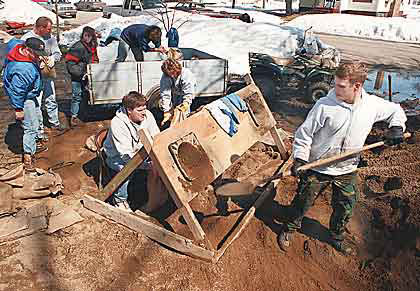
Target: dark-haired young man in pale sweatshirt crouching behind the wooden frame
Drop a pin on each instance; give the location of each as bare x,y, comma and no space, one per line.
122,143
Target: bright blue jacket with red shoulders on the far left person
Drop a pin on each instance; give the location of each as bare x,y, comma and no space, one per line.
21,78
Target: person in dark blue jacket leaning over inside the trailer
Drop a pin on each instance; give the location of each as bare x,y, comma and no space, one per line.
137,38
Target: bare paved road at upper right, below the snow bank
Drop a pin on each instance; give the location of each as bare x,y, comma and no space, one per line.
391,55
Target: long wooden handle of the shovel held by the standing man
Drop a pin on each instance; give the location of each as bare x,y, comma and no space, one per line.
323,162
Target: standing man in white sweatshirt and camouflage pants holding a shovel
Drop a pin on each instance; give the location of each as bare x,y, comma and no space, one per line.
337,123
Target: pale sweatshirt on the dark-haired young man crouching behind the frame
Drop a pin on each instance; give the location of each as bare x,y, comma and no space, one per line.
122,141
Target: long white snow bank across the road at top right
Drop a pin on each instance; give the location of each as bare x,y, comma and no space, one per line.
390,29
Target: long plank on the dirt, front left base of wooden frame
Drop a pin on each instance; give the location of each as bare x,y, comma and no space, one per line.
151,230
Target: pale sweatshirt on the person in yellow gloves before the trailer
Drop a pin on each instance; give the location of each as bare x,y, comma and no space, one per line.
174,92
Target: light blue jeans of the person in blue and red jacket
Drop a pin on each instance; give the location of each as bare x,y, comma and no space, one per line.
30,126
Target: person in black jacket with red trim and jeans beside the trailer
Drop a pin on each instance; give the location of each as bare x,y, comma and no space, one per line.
79,55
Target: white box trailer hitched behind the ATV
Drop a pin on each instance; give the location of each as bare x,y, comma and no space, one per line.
109,82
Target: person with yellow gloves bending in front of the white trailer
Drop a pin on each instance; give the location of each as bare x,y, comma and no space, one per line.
177,89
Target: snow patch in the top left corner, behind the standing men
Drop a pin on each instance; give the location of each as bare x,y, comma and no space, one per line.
24,11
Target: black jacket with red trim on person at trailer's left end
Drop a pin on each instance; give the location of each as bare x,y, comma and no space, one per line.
77,58
